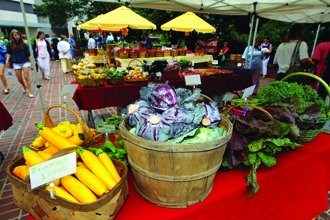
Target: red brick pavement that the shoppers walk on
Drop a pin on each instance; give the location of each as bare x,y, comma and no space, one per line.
26,112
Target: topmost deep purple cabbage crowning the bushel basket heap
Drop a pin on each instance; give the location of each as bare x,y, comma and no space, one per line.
160,96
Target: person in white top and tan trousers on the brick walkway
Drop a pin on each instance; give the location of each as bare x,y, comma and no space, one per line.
64,54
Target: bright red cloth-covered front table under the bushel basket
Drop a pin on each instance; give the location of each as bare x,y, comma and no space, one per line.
296,188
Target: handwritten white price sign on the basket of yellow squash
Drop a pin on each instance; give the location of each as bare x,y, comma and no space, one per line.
53,169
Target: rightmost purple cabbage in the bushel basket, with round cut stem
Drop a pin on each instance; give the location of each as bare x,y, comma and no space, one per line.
207,115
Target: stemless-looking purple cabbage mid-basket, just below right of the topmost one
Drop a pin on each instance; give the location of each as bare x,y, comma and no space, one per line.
181,120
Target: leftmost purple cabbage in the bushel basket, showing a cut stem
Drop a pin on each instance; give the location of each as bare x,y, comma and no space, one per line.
135,109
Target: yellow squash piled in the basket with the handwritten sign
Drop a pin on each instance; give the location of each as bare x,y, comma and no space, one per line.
96,174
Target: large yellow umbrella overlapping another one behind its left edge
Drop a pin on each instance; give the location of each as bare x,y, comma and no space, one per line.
122,17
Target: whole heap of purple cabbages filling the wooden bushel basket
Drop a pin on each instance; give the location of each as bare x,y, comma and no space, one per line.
167,114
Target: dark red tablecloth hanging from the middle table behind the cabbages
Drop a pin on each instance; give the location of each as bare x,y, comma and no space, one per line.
123,95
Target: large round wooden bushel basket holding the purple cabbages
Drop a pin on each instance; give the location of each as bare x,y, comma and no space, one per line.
174,175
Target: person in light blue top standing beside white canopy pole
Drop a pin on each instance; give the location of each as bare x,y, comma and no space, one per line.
256,65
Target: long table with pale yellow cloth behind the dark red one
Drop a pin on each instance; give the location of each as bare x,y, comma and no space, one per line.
134,62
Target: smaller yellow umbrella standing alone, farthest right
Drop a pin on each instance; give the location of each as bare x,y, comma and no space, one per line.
187,23
